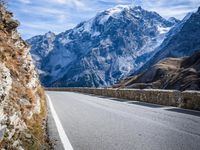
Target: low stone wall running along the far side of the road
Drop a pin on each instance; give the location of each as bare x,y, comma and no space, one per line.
186,99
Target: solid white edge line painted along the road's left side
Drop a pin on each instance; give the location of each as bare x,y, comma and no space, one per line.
64,139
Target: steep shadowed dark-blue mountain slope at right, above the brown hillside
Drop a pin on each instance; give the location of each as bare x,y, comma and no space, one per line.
182,40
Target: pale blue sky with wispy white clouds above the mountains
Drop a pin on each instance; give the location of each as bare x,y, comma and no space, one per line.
40,16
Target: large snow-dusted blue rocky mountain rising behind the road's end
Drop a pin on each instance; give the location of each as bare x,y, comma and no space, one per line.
102,50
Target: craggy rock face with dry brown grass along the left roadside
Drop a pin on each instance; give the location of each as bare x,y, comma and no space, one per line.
20,90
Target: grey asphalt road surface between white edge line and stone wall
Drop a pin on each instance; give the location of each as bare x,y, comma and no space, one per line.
101,123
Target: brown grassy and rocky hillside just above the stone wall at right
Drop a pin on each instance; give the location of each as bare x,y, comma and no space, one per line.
171,73
